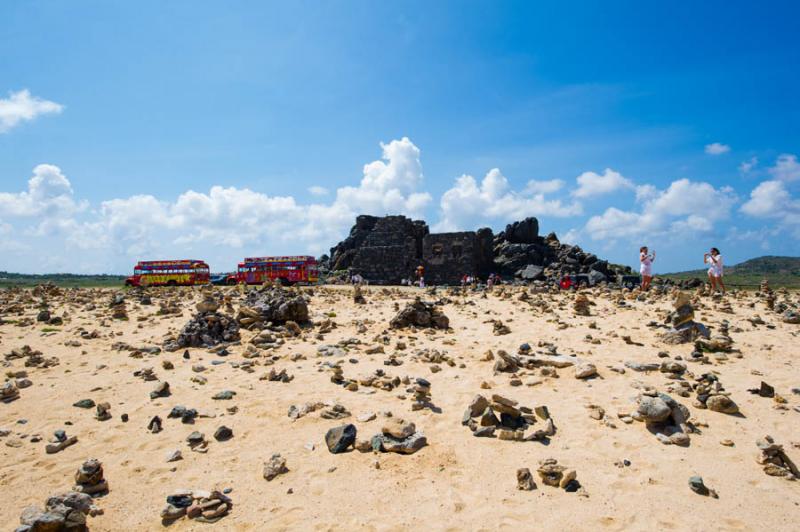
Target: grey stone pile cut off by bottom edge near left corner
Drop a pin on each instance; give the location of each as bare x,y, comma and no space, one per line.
63,512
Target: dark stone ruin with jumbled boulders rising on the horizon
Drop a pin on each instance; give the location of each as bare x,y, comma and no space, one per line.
386,250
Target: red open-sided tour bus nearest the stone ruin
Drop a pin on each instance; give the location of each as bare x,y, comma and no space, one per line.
285,270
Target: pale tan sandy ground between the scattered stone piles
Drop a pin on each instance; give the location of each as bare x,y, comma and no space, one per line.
458,481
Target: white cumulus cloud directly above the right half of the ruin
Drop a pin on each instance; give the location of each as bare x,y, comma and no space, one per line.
468,203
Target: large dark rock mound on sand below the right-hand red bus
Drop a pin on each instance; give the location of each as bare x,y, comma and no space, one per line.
271,305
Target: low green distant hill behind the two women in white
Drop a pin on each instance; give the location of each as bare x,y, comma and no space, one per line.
780,271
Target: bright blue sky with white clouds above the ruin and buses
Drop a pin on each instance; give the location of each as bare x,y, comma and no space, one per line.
176,129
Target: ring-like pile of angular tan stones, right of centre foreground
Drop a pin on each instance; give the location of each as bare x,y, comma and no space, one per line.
515,423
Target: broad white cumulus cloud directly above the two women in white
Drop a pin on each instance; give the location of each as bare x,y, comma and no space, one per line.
683,206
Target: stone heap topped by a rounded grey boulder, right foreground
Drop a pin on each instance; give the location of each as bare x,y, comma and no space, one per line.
663,416
